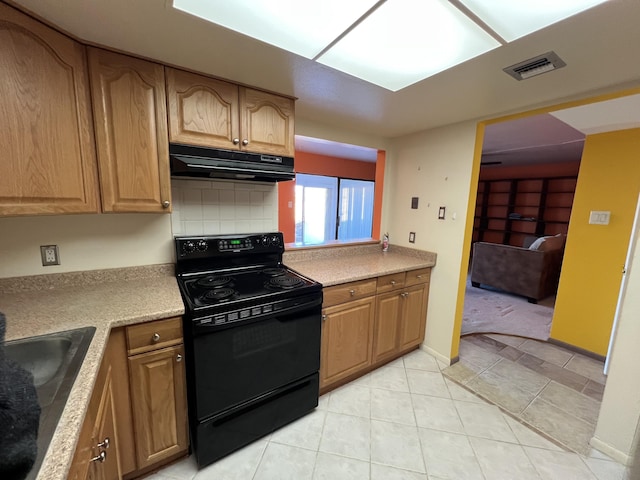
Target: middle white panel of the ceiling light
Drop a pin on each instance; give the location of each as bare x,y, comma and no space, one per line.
405,41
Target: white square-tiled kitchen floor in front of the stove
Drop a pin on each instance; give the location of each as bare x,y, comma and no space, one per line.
404,421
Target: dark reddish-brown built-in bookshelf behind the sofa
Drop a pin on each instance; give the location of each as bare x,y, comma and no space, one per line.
509,210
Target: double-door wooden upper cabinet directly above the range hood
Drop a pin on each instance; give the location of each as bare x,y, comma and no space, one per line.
213,113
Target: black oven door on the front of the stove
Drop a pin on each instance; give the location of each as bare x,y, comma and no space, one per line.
238,363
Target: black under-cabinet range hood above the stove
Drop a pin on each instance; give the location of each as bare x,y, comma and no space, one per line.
204,162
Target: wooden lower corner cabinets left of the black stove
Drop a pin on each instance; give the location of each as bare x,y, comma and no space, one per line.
138,403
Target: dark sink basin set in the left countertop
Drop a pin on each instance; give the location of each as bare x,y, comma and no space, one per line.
54,361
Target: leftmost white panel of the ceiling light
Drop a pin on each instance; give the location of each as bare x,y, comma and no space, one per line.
301,27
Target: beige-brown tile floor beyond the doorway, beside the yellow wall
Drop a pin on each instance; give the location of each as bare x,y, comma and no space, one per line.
555,390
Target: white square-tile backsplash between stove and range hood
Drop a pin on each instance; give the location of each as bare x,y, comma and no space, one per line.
213,207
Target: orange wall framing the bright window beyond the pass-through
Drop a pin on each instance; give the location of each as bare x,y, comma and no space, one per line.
315,164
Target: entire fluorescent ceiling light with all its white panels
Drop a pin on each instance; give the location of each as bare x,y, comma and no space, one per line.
390,43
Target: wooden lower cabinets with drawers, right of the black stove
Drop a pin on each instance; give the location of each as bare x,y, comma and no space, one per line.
361,334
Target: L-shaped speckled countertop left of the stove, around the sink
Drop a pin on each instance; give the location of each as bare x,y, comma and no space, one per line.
103,299
